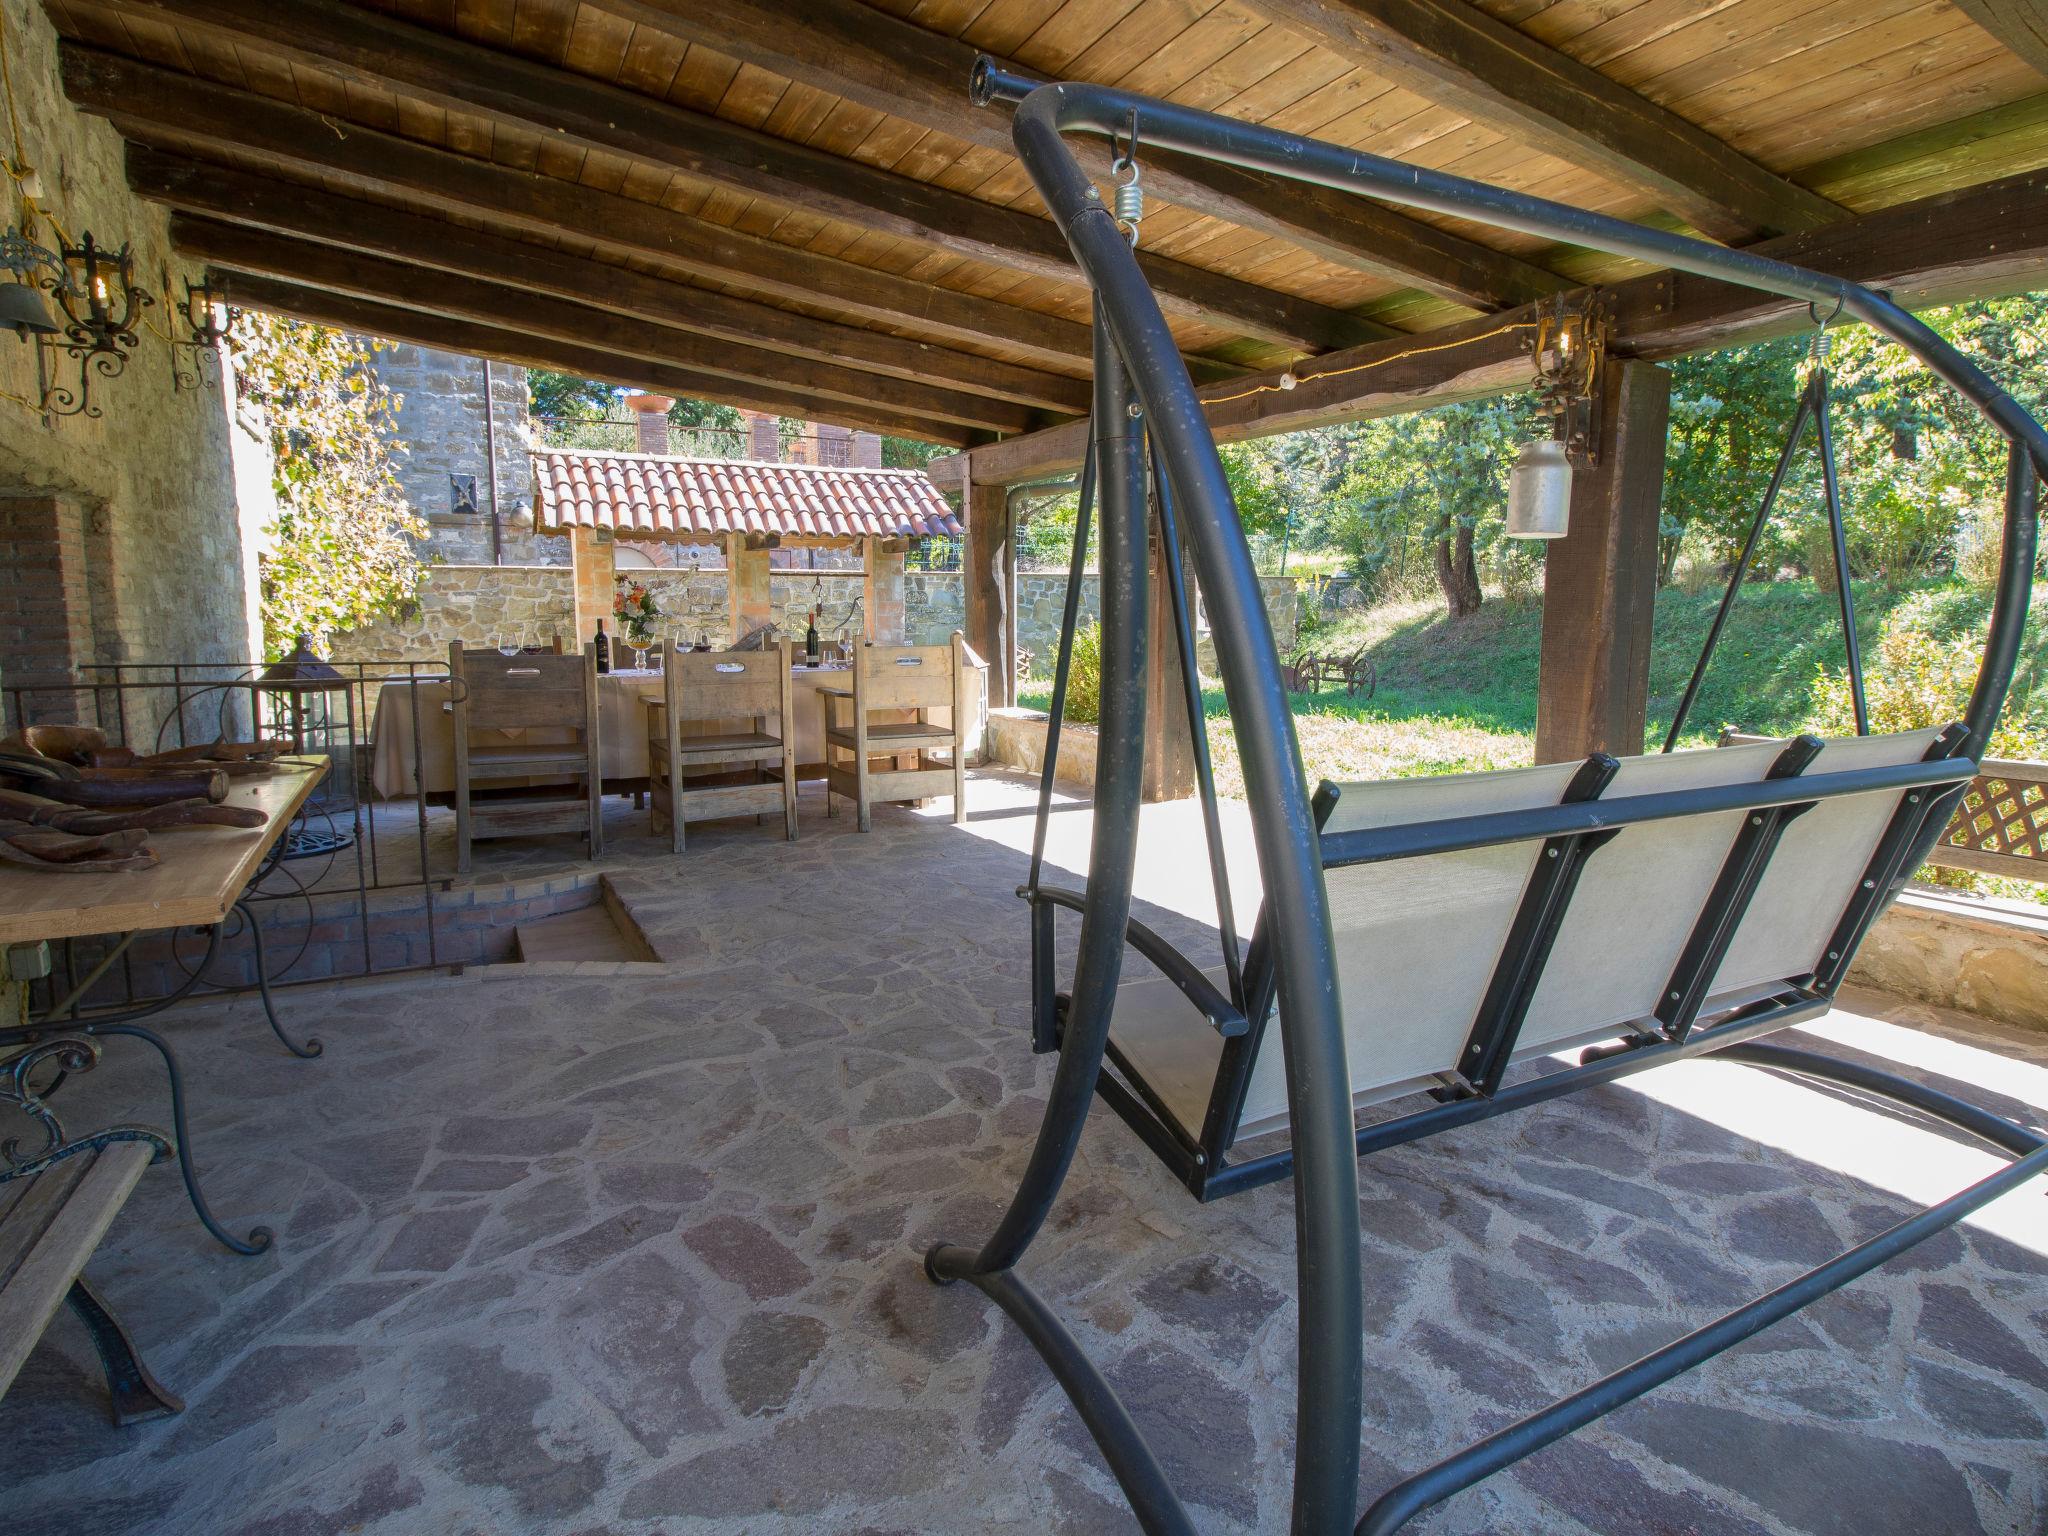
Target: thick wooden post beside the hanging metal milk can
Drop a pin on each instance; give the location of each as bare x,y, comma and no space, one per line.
1601,579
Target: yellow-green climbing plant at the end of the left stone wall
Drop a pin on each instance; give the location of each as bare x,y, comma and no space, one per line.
343,550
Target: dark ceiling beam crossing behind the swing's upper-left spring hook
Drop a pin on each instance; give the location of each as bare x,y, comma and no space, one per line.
896,67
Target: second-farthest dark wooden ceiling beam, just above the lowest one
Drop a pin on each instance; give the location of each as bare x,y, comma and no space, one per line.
558,321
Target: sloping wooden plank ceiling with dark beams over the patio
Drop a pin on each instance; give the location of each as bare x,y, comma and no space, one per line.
790,204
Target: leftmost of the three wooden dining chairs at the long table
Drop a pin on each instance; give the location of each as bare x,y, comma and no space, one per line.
552,706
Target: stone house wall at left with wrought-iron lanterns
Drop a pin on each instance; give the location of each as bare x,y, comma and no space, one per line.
140,503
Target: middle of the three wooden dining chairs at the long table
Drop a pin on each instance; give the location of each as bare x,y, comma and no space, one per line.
744,763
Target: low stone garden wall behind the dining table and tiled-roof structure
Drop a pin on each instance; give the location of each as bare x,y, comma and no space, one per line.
486,605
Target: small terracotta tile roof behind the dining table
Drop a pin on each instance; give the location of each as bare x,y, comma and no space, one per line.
652,495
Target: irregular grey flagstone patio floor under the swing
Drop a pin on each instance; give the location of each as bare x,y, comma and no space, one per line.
636,1250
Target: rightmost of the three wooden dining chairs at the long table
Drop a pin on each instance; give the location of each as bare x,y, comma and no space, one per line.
865,755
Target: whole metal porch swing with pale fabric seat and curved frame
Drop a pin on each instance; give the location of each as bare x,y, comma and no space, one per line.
1768,863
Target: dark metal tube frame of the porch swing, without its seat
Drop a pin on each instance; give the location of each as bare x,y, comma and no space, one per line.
1140,374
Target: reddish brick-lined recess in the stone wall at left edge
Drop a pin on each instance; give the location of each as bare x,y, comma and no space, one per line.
46,613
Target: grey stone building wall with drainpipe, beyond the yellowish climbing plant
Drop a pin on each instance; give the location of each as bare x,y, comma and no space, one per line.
443,427
